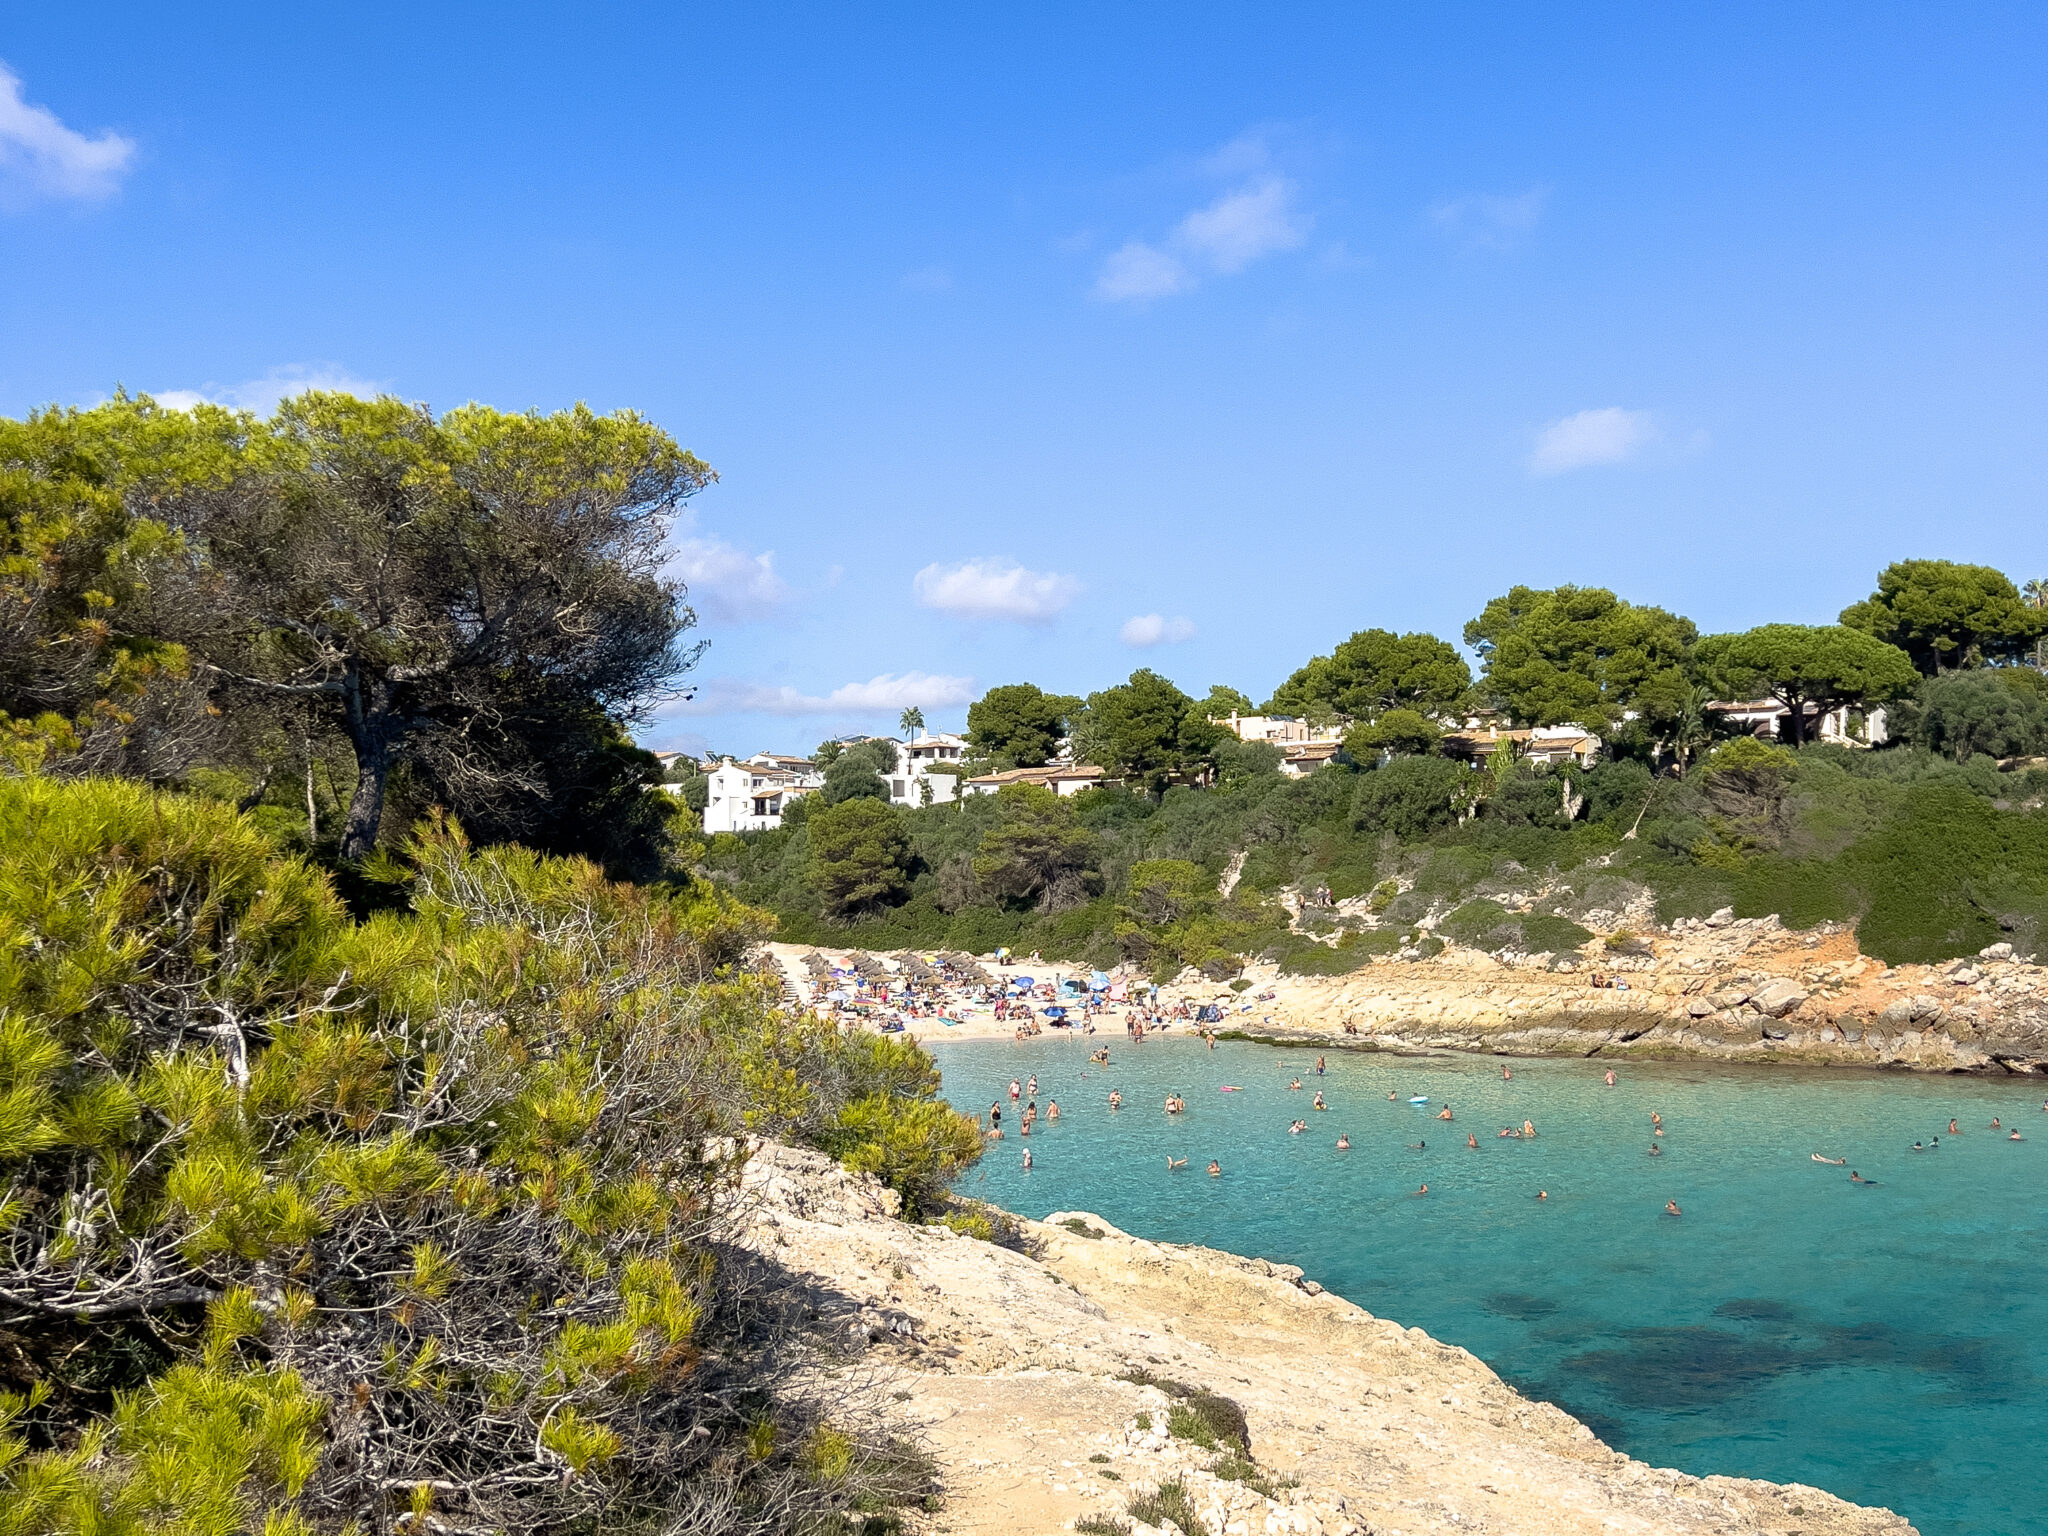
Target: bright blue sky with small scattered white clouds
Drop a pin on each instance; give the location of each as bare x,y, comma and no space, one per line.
1101,337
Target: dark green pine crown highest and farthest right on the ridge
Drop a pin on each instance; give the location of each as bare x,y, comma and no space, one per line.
1949,615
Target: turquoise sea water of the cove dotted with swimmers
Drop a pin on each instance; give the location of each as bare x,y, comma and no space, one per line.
1885,1342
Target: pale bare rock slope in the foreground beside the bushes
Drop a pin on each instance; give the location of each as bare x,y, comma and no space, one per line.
1084,1377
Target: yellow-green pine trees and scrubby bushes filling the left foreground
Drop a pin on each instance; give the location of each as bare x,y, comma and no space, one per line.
376,1074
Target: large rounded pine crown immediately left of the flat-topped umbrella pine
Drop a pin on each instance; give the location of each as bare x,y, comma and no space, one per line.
1582,656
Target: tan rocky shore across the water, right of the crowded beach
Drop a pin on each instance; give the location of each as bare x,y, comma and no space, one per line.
1711,990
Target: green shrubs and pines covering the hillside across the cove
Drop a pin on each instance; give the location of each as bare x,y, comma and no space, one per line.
1934,843
